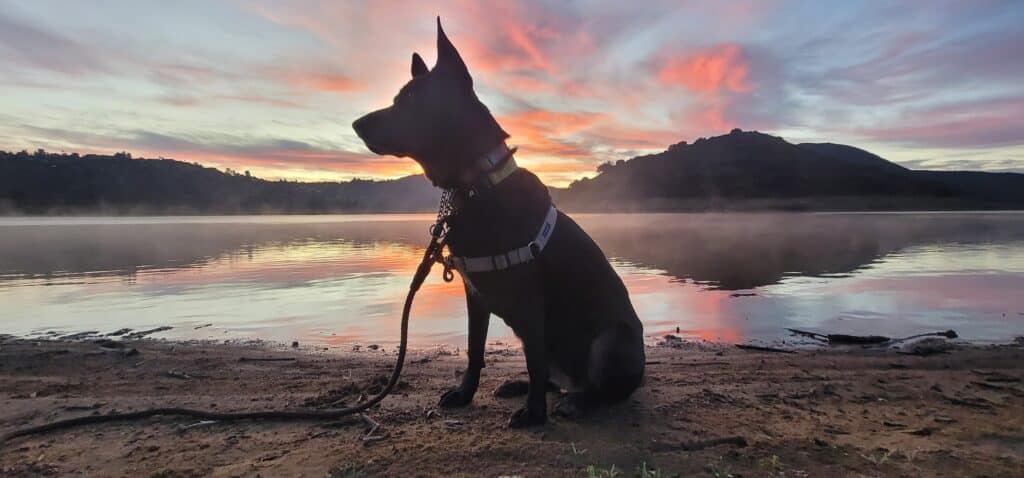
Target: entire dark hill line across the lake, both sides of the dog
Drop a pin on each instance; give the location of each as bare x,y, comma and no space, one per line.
743,170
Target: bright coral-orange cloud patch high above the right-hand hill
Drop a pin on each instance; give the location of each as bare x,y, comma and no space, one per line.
721,68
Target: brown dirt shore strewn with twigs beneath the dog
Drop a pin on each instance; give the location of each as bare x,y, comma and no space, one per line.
817,413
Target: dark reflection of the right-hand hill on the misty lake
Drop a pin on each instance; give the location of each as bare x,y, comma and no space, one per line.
746,251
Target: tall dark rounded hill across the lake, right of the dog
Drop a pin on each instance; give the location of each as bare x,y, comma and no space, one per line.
746,170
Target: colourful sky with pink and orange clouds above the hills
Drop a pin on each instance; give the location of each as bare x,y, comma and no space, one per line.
273,88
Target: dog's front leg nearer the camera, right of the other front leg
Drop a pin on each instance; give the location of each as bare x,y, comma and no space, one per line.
532,333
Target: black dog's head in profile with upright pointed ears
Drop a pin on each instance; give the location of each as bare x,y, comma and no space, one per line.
436,119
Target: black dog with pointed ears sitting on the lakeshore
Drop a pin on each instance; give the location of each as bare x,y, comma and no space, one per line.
520,257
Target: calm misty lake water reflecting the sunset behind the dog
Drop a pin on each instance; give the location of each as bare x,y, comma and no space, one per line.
340,280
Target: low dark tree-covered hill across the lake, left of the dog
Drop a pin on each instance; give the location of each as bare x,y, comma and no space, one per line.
58,184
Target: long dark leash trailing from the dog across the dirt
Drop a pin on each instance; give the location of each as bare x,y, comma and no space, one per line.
431,256
